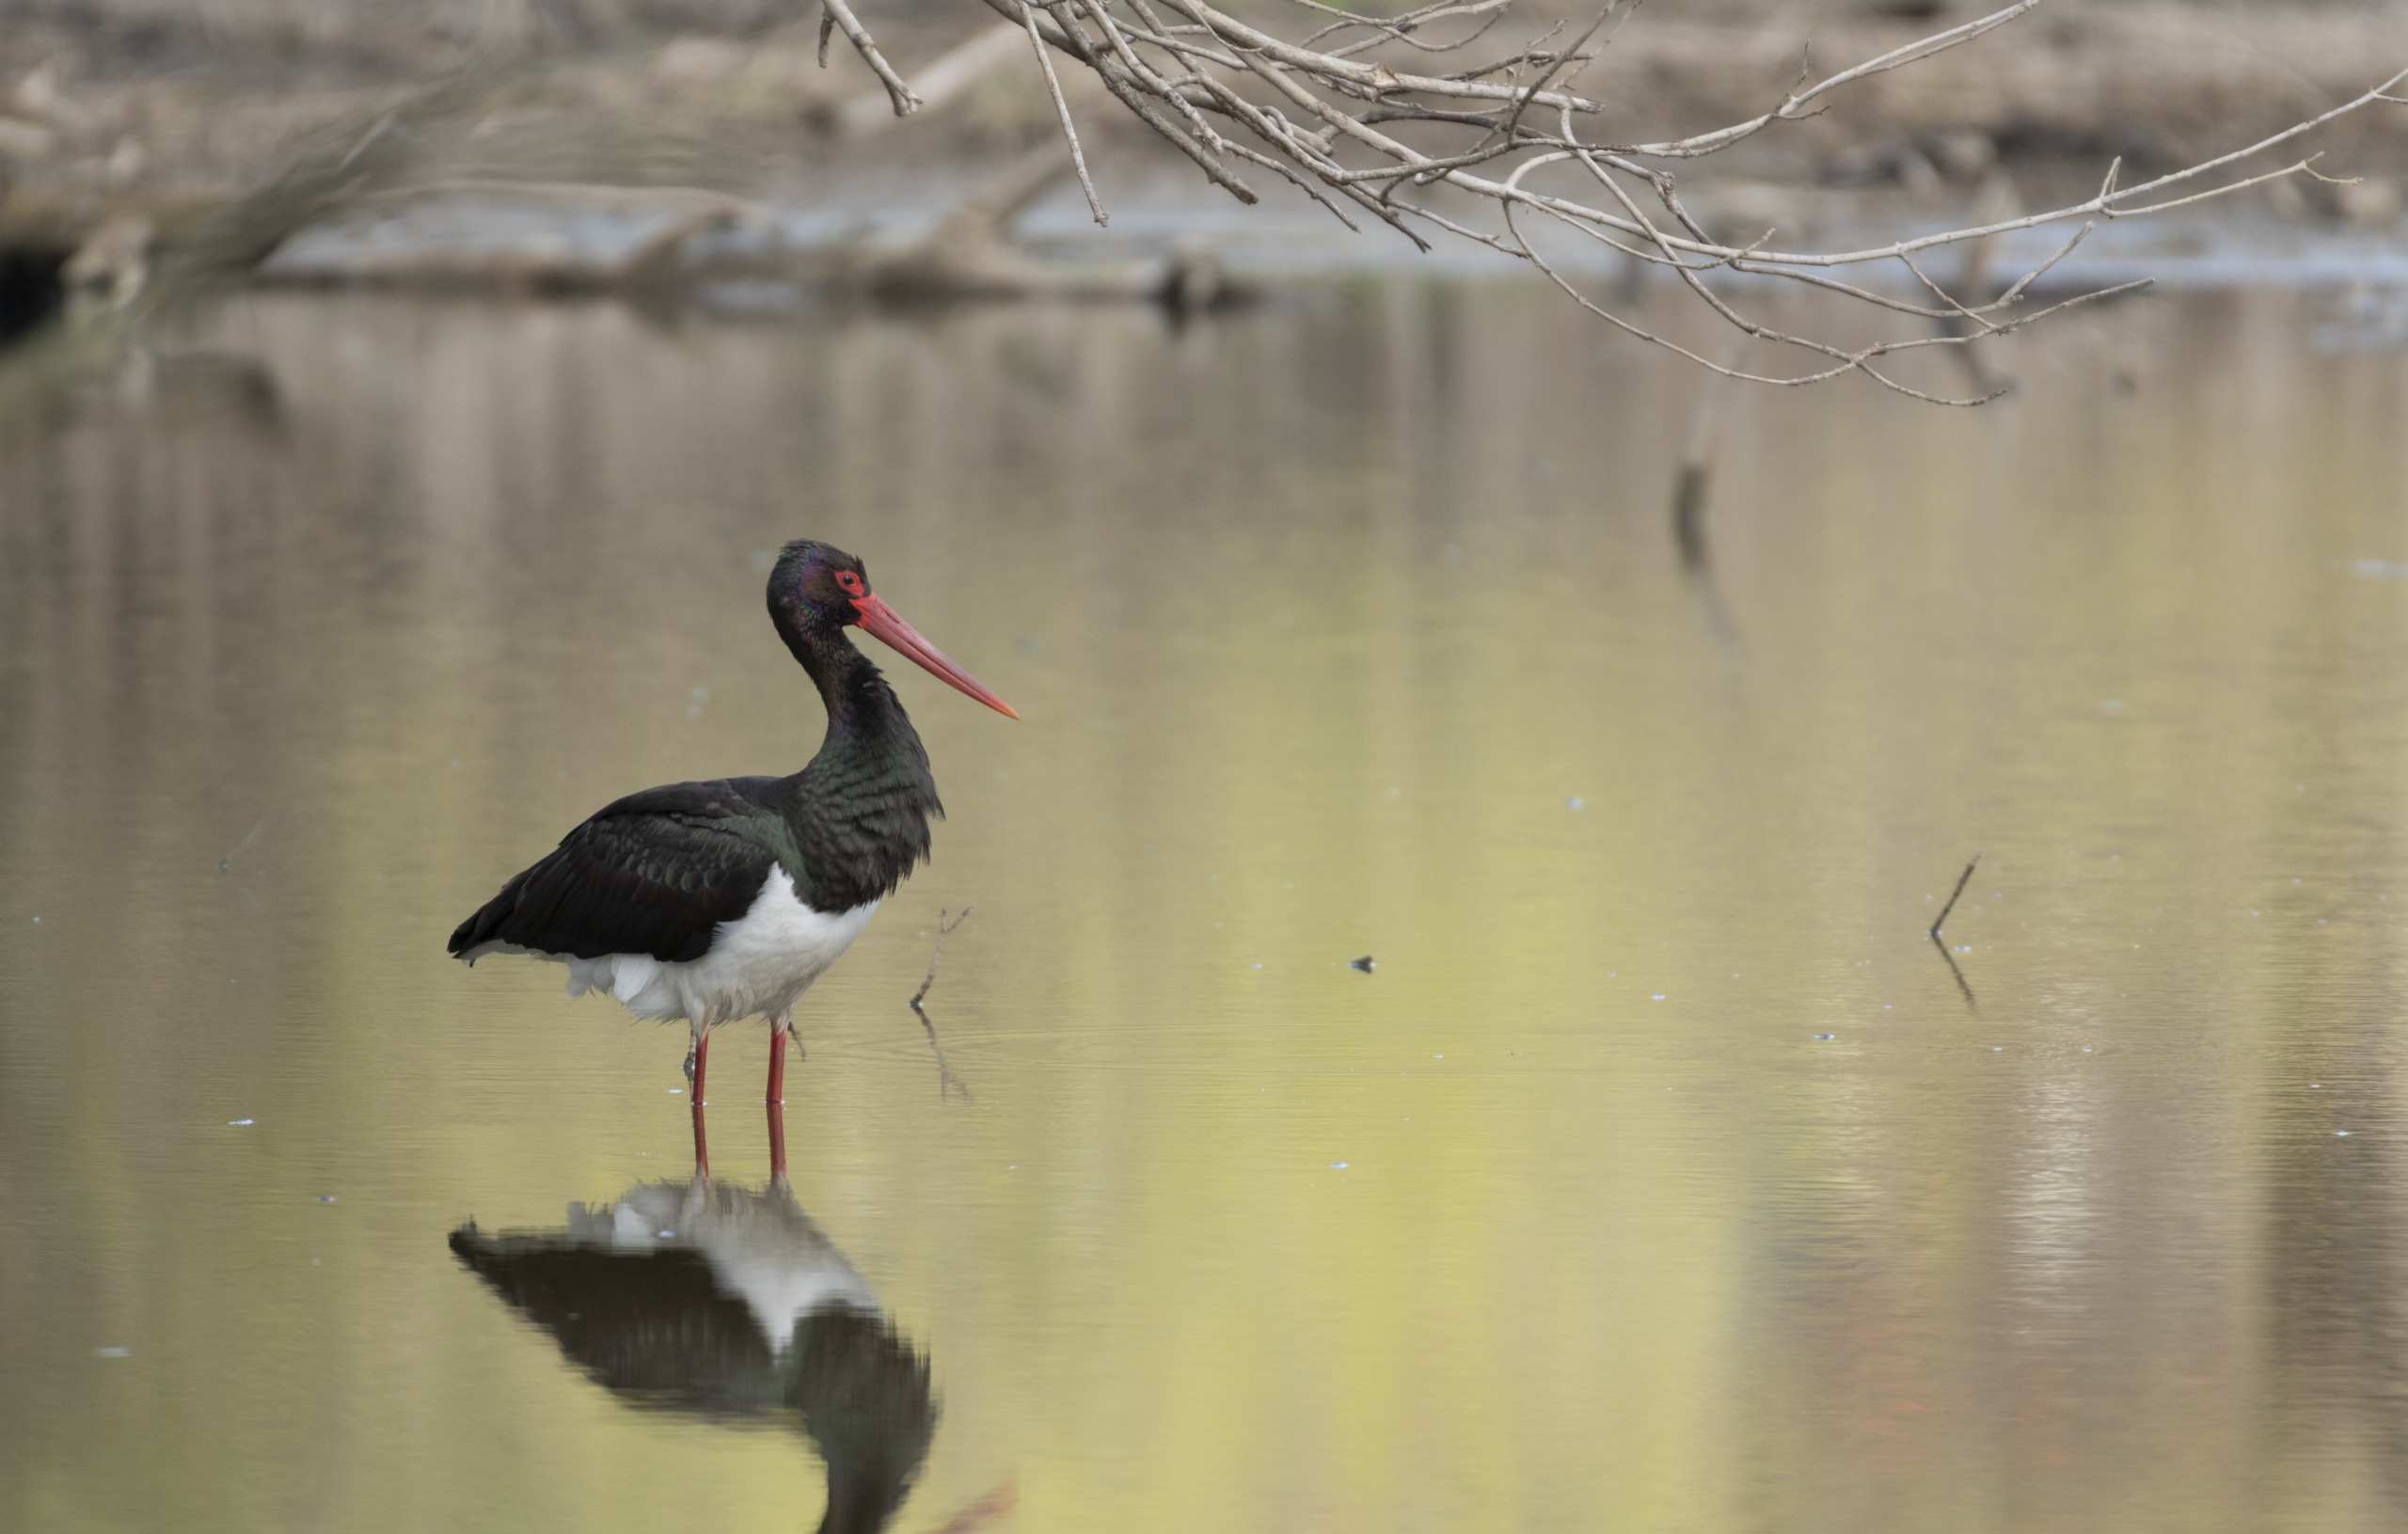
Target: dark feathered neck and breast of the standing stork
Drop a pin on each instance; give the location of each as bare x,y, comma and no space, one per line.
863,806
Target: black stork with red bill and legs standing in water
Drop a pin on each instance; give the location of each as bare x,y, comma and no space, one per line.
716,902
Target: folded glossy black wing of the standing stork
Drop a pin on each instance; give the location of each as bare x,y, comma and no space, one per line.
654,873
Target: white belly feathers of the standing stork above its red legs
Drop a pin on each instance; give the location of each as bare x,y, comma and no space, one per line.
757,967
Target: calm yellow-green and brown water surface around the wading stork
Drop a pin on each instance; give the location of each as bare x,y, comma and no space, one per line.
1658,1179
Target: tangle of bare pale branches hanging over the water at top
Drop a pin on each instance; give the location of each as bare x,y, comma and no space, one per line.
1227,90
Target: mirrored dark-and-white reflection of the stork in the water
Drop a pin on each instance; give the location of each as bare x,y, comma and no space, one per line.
728,1304
